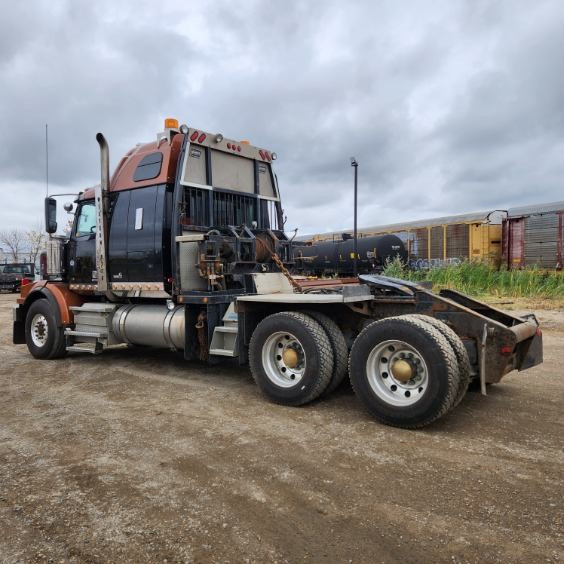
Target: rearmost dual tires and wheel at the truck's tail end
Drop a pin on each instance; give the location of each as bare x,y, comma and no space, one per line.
404,372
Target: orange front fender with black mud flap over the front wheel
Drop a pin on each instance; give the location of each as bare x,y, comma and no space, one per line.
56,293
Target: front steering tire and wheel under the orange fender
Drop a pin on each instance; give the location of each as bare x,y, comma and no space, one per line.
43,338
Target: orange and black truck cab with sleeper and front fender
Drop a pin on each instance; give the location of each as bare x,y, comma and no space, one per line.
184,184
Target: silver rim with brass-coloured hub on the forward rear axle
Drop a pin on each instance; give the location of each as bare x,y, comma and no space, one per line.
283,359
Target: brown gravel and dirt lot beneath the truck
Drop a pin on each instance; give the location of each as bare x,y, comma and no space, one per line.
138,456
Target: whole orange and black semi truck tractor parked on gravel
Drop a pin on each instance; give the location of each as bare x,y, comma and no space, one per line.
183,248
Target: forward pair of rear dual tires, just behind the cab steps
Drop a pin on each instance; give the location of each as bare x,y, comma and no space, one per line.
291,358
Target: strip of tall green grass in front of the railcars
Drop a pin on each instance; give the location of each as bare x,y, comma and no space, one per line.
478,279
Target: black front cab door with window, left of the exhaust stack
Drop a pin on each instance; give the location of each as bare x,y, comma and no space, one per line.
82,246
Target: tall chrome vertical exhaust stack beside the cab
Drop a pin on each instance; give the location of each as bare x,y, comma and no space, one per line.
101,199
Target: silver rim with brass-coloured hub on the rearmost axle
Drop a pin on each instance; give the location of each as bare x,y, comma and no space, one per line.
397,373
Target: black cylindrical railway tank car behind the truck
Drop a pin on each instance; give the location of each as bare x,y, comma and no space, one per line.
336,257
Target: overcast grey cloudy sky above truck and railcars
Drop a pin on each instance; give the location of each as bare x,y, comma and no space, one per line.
449,106
